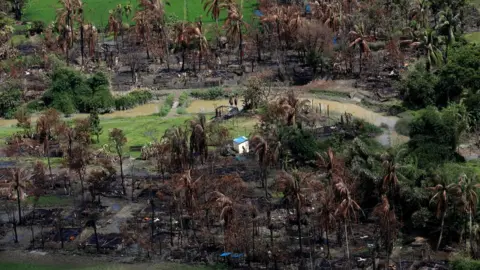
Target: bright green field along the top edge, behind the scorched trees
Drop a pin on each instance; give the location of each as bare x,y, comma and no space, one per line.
97,10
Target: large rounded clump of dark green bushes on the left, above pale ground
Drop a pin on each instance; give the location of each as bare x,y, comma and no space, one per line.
70,91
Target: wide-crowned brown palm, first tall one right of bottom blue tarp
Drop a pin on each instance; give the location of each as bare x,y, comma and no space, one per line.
294,187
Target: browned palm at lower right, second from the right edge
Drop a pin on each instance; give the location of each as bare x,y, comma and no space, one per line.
441,193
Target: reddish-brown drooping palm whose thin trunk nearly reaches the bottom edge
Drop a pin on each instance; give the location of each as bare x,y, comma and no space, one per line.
346,209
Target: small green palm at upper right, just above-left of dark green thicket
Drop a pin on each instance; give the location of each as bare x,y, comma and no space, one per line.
429,44
